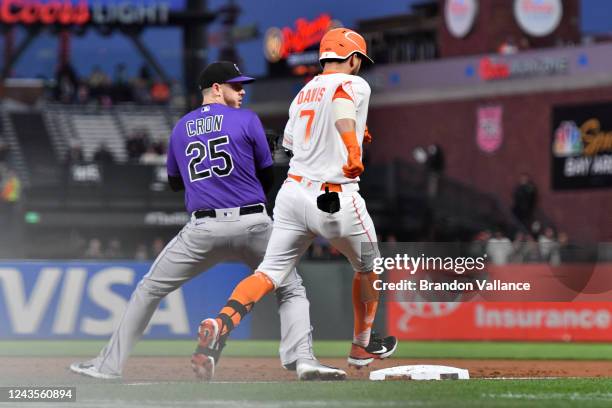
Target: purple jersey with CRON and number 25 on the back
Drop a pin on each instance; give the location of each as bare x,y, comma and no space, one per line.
216,150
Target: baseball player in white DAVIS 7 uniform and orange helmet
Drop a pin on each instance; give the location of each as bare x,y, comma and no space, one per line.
325,132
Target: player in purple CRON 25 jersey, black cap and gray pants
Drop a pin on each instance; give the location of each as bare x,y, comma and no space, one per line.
220,156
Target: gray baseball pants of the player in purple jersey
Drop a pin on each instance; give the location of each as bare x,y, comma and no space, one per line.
201,244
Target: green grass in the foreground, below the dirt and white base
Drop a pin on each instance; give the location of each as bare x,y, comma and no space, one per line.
473,393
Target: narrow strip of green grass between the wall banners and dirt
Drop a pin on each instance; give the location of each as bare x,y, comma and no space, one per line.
414,349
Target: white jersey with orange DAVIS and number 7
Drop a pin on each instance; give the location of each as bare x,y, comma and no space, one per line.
318,150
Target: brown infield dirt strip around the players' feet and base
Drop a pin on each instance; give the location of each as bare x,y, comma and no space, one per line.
151,369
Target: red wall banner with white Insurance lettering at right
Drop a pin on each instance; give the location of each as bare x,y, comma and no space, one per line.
569,302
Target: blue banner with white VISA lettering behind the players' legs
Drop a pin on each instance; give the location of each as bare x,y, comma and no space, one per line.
80,299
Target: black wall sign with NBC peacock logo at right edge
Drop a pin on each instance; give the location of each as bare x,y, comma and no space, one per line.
581,146
